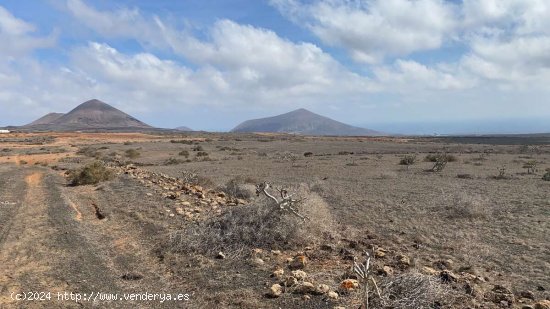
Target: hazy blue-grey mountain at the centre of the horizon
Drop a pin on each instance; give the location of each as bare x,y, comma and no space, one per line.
301,121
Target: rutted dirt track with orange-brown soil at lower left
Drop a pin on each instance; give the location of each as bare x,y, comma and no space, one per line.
47,245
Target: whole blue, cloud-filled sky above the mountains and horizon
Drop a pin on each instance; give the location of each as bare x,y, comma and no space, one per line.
398,66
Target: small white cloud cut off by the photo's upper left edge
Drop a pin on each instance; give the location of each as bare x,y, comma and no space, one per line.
16,36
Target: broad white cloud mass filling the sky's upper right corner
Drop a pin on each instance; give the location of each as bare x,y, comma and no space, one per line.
504,40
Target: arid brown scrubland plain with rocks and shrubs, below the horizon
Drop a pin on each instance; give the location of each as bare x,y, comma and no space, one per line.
180,213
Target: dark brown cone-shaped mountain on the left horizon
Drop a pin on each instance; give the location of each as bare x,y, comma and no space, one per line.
92,115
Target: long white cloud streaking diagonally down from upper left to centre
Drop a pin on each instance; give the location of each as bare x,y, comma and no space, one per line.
248,56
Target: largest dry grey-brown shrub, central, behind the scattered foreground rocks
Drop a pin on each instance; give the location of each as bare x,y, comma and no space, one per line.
257,225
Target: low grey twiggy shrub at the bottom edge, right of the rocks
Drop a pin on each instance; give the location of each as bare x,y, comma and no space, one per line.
413,290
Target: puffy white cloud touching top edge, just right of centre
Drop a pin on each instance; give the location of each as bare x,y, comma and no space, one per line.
373,29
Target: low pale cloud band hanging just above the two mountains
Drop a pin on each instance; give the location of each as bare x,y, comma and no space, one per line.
247,83
